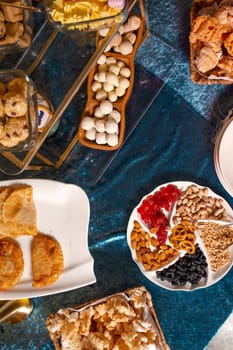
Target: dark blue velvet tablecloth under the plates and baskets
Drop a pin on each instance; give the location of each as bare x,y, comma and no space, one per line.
172,141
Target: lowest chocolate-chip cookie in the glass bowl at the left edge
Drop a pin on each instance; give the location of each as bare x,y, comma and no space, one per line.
15,131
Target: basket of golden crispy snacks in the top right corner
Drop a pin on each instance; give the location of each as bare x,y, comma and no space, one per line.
211,41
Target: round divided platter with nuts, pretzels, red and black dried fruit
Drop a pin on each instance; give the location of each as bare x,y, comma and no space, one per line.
181,236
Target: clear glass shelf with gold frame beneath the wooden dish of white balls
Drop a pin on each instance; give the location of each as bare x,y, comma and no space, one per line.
59,66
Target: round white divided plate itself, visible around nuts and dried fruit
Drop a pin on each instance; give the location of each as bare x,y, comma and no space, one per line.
212,277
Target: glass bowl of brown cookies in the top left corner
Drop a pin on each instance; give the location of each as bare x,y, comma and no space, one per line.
16,27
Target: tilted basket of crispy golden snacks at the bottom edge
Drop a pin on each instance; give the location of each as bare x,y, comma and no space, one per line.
134,324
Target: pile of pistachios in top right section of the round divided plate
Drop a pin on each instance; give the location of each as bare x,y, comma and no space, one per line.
196,203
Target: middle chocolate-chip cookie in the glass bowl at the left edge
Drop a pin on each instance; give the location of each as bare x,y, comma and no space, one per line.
15,104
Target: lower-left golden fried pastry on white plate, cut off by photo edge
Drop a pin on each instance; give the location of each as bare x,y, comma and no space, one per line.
11,263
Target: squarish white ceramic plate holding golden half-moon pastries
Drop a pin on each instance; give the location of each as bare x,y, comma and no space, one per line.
62,211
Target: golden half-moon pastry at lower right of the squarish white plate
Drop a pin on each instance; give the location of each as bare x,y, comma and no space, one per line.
47,260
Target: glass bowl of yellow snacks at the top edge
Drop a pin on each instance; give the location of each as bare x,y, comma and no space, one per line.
63,16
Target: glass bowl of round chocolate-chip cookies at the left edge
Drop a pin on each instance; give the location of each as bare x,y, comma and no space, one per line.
18,111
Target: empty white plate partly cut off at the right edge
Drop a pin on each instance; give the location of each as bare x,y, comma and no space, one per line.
222,156
